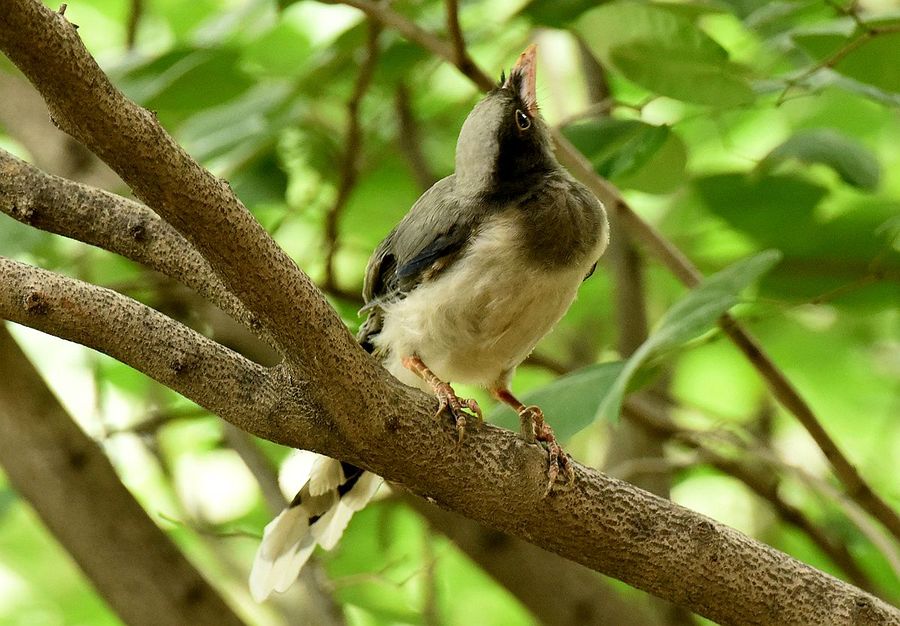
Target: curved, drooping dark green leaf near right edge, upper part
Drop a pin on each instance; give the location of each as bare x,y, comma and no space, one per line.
852,161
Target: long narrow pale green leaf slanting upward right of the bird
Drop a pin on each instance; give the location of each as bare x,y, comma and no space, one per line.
689,317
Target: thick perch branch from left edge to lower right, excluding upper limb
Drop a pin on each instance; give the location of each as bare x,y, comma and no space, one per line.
601,522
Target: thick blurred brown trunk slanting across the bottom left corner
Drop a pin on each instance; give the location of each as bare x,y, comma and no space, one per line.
68,480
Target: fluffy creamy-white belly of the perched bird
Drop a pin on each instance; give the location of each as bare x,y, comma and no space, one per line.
475,322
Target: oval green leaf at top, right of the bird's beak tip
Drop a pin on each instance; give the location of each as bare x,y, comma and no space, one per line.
682,74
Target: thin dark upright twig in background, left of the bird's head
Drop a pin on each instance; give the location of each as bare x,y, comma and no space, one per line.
352,154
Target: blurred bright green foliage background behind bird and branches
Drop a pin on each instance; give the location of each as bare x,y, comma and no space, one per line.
734,126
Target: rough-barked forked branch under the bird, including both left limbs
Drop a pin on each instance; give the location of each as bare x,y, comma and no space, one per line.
332,398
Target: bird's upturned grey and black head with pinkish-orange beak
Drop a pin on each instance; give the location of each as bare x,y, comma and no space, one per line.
504,144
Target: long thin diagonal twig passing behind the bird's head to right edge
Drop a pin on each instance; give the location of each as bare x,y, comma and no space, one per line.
674,260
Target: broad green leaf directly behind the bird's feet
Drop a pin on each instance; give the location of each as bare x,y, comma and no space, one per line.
570,402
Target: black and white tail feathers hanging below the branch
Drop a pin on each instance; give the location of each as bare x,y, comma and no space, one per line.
331,493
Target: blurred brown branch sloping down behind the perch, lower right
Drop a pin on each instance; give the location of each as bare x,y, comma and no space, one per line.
763,481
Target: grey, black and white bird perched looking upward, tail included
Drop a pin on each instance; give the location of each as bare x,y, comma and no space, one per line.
483,265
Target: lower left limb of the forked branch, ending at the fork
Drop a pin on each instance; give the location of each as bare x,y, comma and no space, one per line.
244,393
